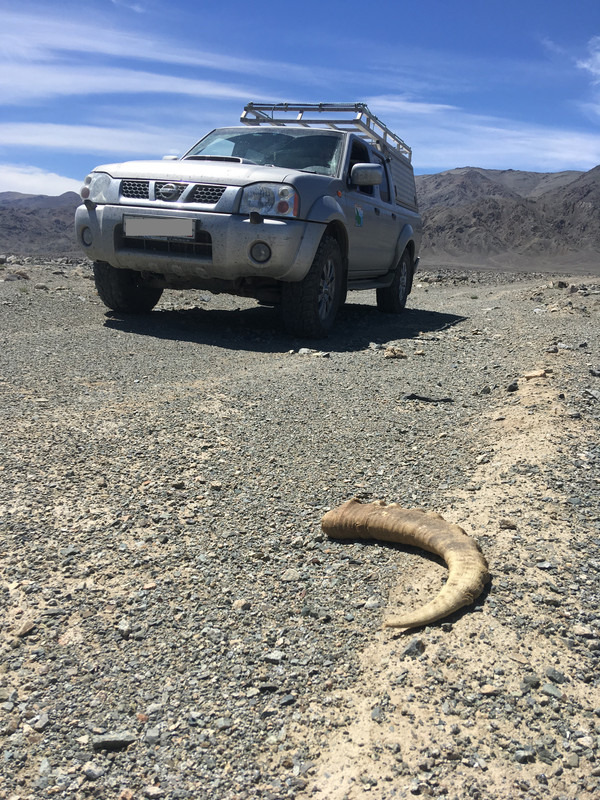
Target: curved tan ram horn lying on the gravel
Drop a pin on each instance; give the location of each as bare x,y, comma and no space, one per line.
467,567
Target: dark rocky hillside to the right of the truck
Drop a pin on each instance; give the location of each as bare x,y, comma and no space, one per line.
512,217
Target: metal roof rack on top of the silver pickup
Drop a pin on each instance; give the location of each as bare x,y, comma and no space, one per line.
362,120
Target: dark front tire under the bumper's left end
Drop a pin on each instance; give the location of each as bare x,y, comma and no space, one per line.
124,290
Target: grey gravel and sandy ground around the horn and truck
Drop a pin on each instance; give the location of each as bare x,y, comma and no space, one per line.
175,624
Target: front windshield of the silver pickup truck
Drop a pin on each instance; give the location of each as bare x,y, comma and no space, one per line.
301,149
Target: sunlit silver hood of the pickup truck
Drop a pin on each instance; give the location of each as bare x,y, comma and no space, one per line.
223,172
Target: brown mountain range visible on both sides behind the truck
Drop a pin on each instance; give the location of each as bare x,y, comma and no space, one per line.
503,218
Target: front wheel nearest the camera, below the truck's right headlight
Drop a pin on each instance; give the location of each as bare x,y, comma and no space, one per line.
309,307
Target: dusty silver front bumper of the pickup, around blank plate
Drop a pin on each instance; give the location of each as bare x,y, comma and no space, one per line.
220,249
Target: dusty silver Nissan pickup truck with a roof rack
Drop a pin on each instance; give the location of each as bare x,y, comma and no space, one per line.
294,207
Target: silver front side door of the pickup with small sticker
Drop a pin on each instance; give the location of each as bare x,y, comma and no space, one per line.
371,236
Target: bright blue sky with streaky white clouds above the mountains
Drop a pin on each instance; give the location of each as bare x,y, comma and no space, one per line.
502,85
